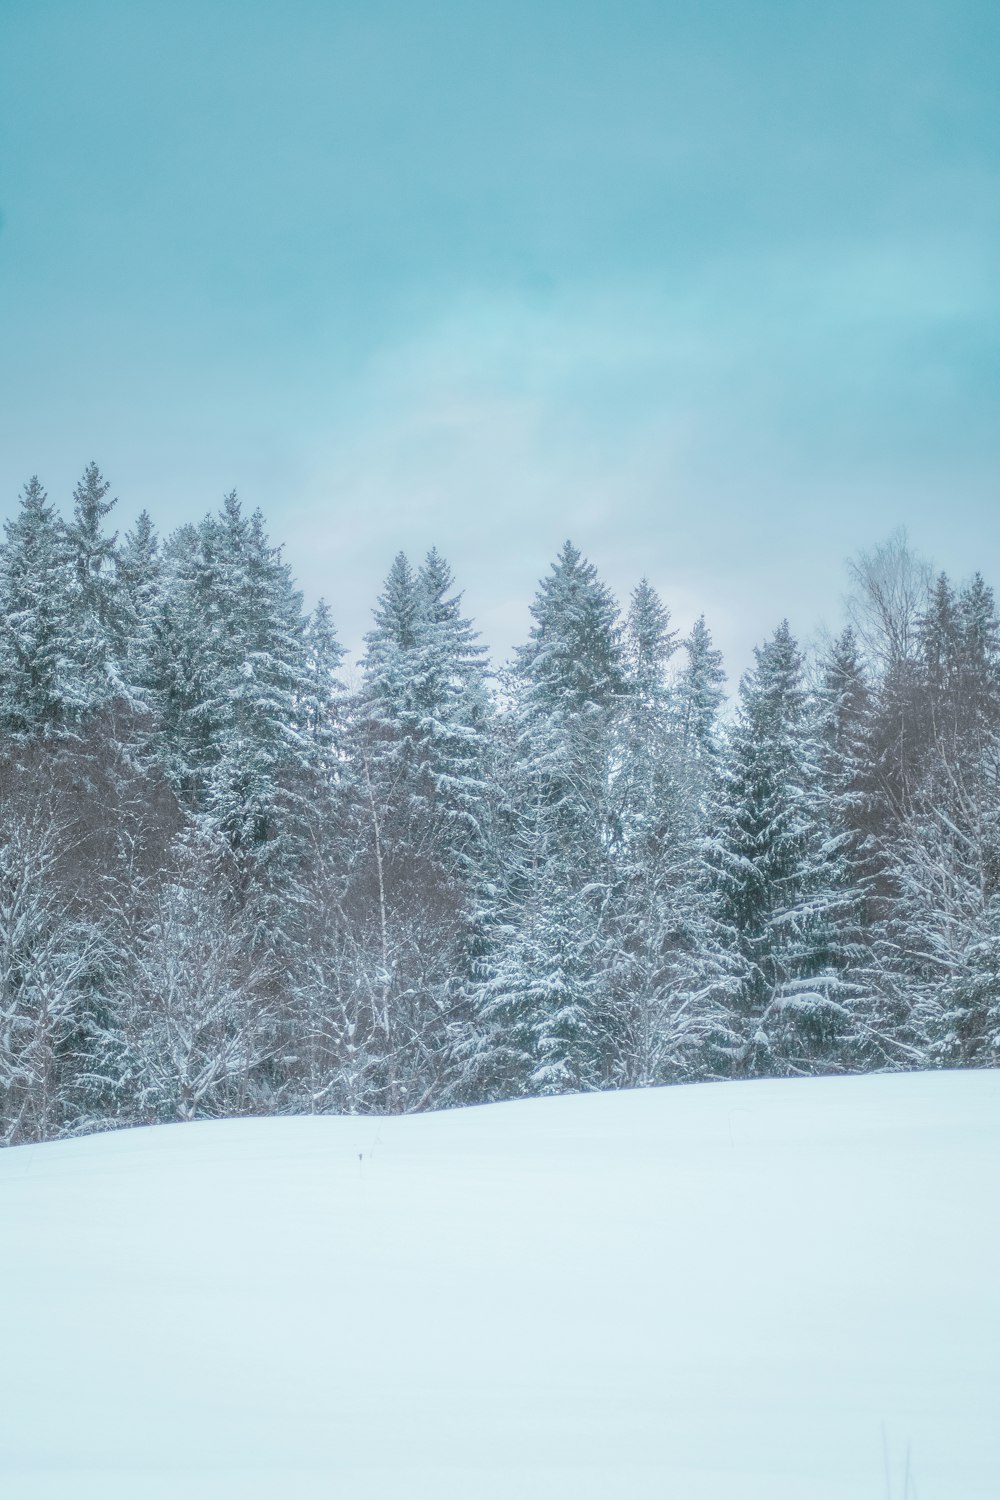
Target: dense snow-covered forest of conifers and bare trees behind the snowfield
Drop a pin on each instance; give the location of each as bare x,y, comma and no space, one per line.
233,883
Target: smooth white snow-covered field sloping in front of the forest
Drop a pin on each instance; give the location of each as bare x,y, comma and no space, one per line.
726,1292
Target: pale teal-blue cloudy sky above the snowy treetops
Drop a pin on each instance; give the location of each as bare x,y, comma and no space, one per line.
711,287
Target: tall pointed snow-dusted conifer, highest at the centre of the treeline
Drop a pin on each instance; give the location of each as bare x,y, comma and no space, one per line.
543,995
